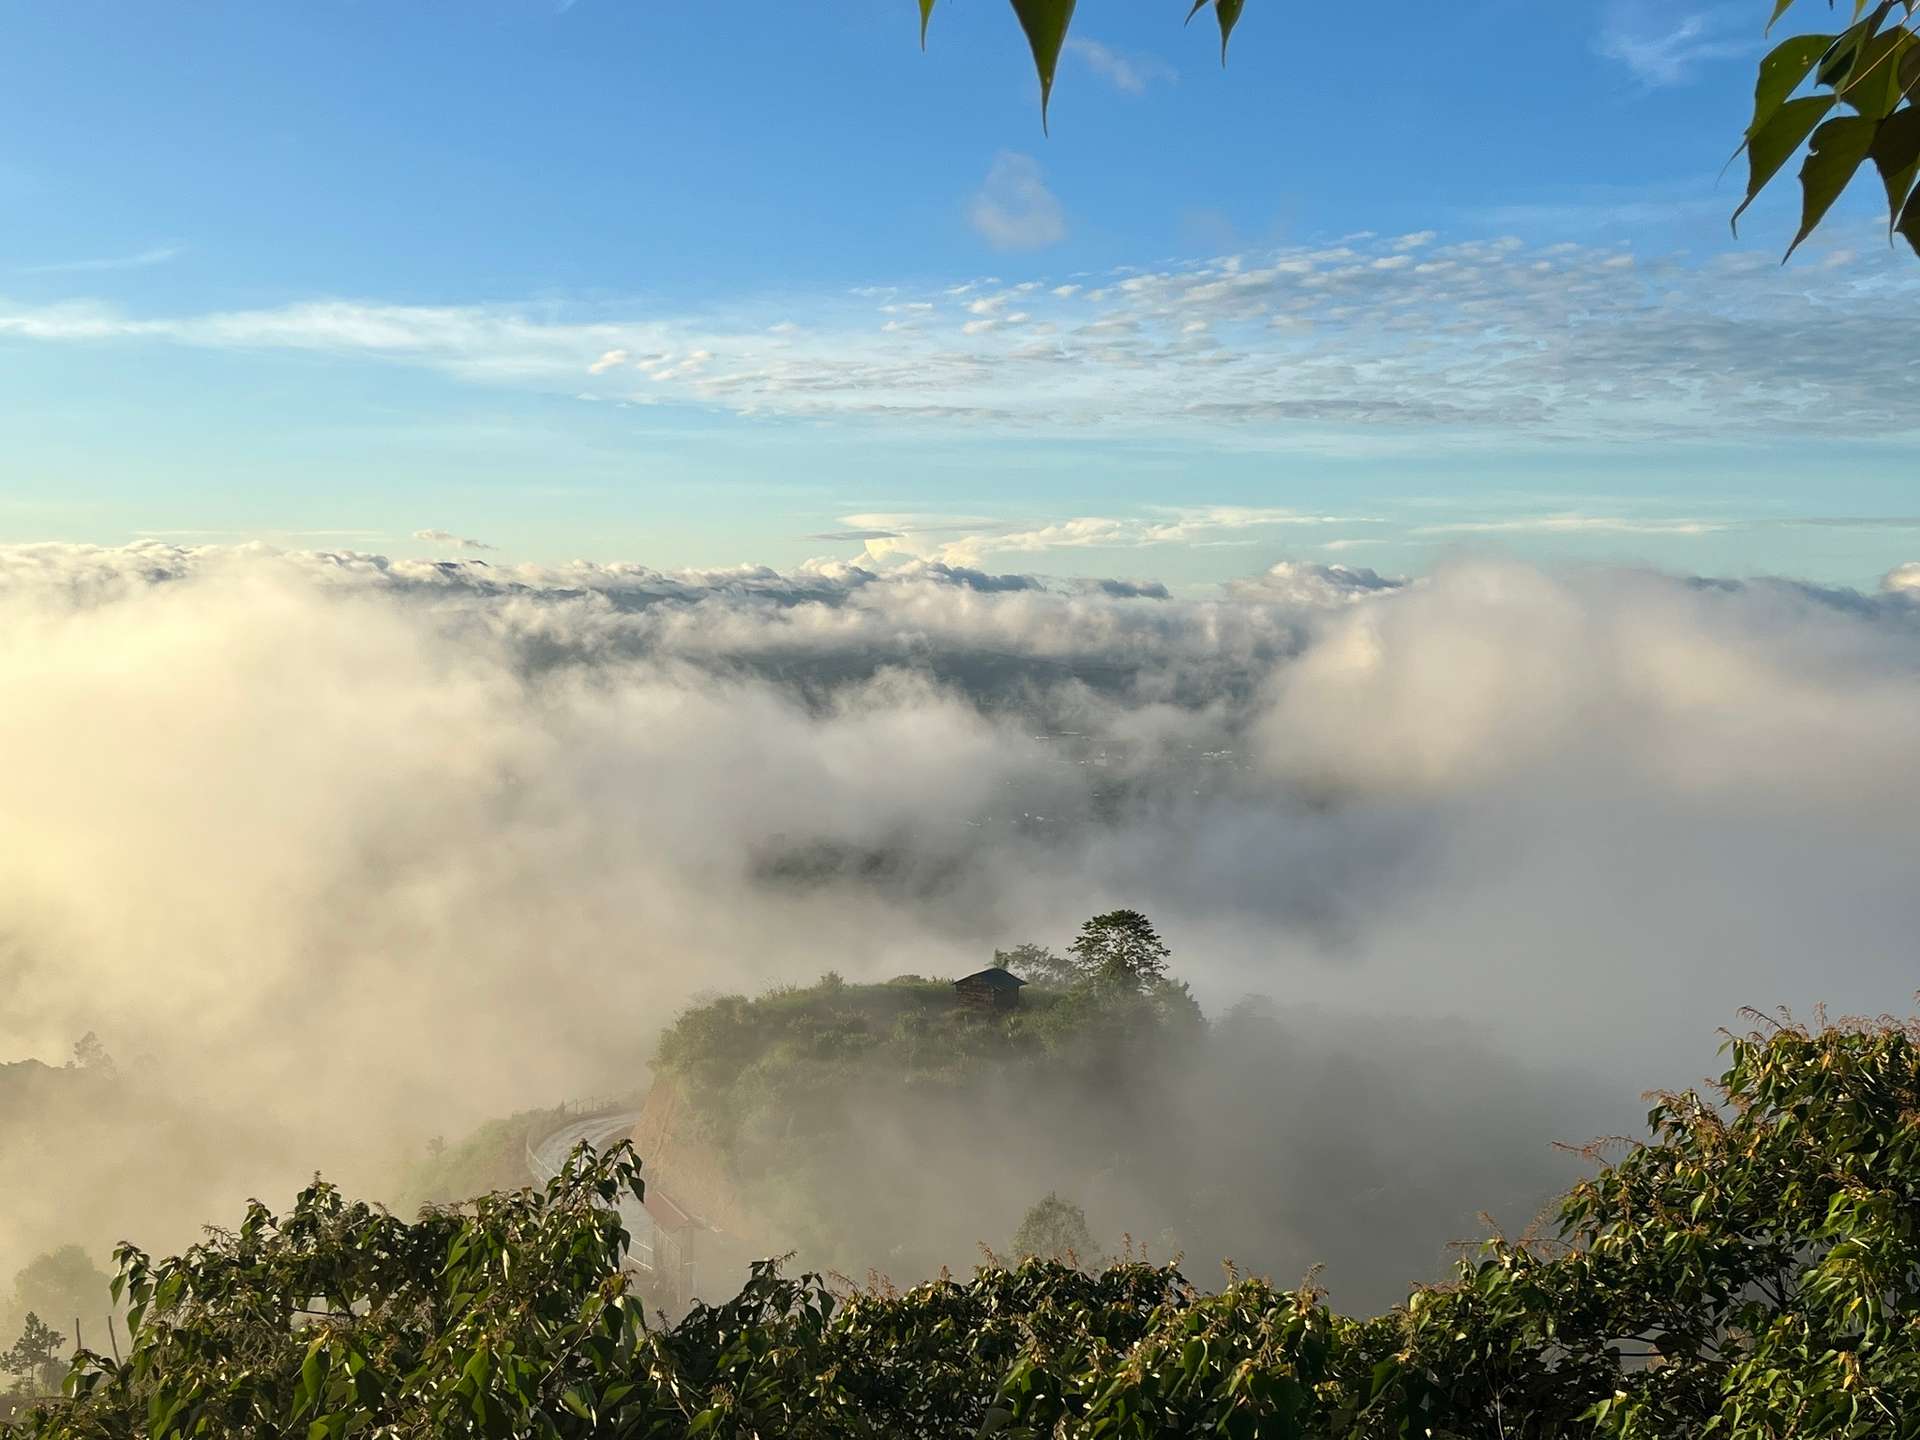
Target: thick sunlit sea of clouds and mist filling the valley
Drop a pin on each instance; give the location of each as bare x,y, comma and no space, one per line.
362,850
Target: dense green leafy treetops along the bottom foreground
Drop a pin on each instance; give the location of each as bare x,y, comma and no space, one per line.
1748,1270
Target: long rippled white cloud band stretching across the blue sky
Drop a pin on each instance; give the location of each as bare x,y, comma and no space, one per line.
1374,347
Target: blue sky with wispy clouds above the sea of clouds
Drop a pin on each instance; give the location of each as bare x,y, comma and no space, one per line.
615,281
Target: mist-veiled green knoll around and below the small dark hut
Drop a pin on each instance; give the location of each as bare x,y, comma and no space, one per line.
896,1128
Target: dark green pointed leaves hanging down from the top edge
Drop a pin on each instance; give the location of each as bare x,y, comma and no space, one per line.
1869,72
